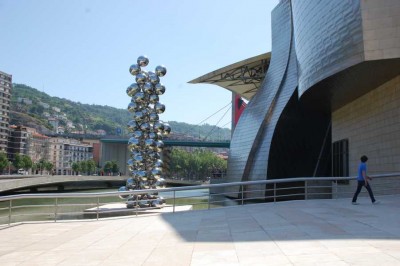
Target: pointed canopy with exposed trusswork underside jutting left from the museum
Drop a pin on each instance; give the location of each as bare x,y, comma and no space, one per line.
243,78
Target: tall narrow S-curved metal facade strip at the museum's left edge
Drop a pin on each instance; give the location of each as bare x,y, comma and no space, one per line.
260,112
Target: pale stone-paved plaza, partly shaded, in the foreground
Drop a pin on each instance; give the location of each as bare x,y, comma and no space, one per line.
314,232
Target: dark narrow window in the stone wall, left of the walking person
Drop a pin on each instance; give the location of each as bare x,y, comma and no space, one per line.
340,159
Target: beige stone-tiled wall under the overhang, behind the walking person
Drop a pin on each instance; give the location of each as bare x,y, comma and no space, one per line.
371,123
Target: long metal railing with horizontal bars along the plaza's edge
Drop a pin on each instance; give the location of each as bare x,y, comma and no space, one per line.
55,207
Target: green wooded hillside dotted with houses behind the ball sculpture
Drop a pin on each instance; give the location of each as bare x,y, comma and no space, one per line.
30,107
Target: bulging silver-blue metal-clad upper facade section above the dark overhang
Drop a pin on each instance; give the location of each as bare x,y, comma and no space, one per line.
328,38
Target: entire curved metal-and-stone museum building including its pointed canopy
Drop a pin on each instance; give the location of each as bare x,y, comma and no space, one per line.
330,93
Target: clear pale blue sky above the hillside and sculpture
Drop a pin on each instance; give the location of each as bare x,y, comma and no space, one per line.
81,50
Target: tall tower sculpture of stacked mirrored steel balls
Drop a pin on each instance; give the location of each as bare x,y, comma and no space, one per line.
146,131
